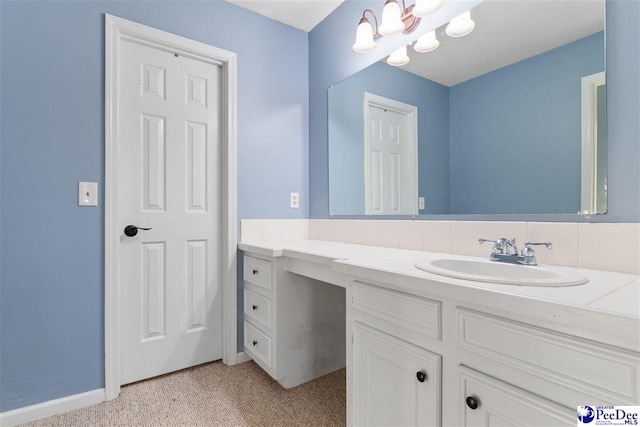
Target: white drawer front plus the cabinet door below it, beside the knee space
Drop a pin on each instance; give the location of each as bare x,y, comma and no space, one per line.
392,378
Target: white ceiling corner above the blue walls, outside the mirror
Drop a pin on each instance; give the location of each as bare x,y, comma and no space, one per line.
301,14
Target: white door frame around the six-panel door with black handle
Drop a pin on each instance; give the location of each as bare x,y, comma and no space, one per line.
117,30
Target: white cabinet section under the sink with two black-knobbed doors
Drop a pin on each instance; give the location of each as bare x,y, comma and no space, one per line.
479,369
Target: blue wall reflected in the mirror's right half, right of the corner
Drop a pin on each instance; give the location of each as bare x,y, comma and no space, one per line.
516,133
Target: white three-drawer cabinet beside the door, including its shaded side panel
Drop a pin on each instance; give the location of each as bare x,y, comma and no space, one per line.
294,326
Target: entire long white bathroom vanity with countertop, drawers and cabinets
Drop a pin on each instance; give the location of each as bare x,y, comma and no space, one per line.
426,349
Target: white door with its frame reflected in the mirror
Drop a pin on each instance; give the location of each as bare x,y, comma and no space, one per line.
390,157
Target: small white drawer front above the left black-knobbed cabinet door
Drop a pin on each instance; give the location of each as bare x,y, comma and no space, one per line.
398,310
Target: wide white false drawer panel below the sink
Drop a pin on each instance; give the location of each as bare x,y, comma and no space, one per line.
559,367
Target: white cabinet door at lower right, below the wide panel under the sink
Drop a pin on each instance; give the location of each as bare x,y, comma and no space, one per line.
487,401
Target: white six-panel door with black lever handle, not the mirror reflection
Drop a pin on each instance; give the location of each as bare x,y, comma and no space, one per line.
168,180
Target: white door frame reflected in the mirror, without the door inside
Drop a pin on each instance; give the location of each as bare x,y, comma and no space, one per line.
411,111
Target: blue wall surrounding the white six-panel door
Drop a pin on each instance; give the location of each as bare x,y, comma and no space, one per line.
52,136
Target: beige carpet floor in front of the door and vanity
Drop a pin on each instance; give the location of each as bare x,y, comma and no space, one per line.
216,395
